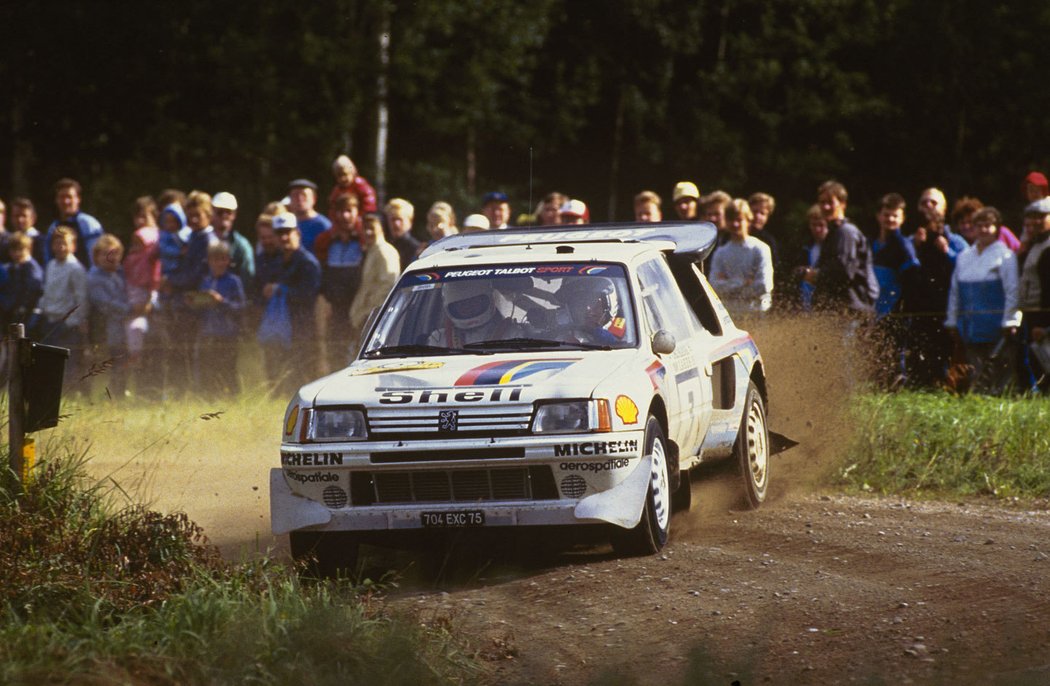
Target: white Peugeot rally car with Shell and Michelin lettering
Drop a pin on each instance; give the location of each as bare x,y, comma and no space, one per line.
539,378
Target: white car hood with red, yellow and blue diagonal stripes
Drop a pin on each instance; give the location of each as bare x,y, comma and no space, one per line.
562,375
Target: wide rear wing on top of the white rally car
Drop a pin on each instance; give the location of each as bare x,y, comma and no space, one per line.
692,239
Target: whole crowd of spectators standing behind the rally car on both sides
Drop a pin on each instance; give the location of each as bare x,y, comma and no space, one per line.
954,299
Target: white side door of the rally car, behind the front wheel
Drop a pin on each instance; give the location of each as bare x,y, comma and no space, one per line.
687,375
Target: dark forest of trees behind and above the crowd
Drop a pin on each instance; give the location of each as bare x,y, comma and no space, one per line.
597,99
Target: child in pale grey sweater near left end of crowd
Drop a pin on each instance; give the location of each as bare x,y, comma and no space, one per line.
65,305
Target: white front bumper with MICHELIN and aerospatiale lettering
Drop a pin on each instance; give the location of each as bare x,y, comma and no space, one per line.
601,479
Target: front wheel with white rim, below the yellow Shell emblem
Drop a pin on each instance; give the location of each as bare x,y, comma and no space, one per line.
652,533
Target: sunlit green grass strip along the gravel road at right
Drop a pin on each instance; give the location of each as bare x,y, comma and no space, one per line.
939,445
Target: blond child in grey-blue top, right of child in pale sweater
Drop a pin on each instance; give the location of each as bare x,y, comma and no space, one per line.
108,295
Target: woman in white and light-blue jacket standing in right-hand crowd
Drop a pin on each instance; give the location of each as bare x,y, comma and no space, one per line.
983,304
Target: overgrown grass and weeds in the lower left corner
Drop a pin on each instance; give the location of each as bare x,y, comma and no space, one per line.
98,591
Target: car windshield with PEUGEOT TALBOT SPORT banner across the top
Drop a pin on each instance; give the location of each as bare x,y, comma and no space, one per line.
485,309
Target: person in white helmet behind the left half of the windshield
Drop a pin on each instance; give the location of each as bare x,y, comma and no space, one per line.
472,316
